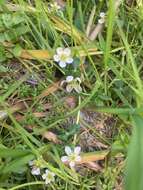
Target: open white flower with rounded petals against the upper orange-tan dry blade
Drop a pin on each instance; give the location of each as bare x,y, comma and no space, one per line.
63,56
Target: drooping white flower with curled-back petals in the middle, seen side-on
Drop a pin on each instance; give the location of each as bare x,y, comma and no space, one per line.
72,84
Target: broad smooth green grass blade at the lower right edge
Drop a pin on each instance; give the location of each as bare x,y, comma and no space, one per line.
134,167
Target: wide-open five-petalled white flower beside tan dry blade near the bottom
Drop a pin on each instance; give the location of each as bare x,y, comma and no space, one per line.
72,157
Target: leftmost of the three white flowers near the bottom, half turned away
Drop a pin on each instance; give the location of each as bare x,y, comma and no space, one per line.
36,165
